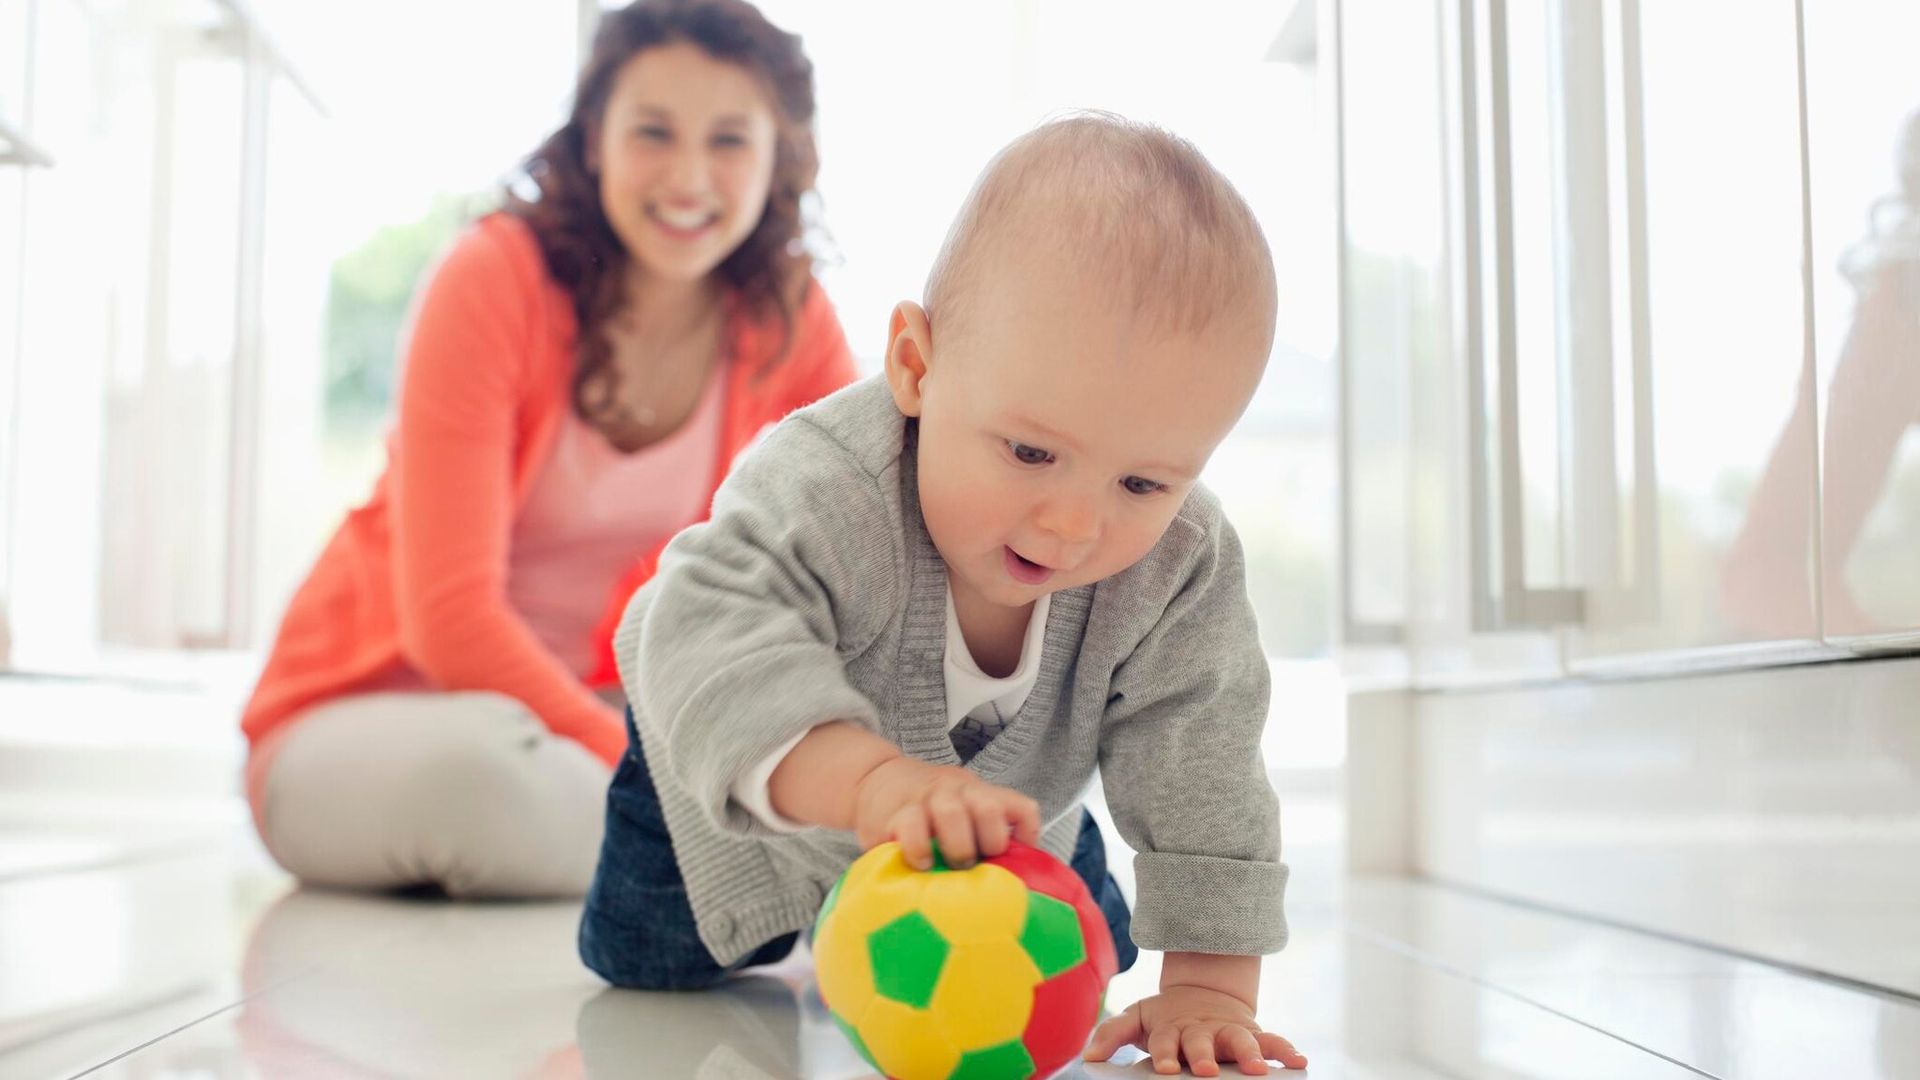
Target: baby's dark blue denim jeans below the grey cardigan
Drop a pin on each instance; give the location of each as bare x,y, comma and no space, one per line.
638,927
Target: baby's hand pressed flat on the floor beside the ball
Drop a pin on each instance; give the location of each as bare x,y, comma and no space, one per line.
1199,1025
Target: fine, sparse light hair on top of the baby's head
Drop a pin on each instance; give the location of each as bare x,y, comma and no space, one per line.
1126,203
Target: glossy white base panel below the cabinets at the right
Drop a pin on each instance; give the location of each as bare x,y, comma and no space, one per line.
1767,812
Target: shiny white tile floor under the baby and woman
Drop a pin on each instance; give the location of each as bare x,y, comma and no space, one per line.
201,964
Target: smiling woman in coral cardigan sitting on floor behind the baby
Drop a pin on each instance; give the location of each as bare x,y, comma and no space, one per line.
581,372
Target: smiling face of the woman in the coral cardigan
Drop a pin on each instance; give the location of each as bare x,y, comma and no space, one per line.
684,159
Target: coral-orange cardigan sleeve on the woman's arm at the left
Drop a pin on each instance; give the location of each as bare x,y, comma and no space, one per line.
454,497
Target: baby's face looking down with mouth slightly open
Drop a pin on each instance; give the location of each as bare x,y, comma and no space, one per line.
1059,439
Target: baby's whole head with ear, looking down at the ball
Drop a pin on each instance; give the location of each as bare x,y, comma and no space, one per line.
1095,324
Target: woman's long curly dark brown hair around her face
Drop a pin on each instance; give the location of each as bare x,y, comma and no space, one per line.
769,272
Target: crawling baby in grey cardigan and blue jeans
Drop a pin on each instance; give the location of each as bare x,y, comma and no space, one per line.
926,608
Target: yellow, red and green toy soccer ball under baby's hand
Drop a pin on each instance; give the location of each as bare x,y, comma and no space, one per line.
996,971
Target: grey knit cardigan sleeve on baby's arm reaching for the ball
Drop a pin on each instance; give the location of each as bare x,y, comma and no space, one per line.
740,641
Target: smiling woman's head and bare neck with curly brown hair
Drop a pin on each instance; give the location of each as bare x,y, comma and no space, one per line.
675,182
